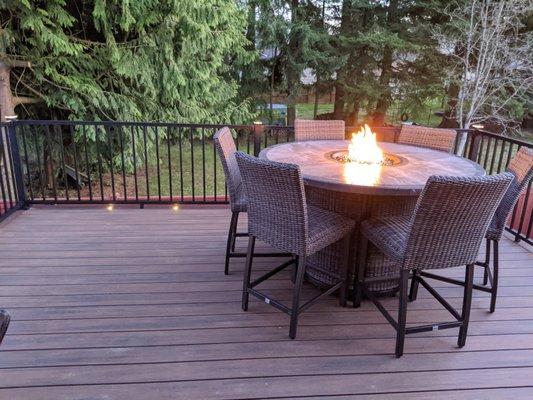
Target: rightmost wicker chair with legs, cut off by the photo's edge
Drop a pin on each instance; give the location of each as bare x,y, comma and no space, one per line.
521,166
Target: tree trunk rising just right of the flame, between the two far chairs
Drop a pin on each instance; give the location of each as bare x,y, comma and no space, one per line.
383,103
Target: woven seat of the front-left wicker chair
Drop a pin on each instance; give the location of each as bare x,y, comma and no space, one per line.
325,227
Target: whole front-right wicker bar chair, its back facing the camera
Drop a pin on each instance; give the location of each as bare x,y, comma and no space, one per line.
450,220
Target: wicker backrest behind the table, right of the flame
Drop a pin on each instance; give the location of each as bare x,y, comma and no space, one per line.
432,138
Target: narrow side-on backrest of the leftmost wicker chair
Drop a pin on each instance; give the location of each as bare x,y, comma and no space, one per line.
226,150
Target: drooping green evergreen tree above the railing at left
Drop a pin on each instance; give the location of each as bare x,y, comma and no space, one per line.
172,60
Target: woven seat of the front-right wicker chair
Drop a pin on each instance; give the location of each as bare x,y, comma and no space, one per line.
389,234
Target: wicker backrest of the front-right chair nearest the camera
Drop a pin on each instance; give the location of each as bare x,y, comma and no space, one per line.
451,218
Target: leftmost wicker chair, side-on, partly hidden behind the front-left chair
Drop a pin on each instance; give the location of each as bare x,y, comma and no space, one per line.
225,146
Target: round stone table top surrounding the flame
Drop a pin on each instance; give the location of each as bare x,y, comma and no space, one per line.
417,164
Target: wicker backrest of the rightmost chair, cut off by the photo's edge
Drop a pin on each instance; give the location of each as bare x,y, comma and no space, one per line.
521,166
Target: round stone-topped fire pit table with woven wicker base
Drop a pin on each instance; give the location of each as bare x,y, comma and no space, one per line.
361,191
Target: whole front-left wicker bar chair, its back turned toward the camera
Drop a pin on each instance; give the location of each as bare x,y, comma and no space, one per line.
279,216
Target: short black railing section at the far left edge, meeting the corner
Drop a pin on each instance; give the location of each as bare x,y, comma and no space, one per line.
11,182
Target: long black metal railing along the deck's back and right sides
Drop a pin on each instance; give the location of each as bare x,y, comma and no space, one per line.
134,162
